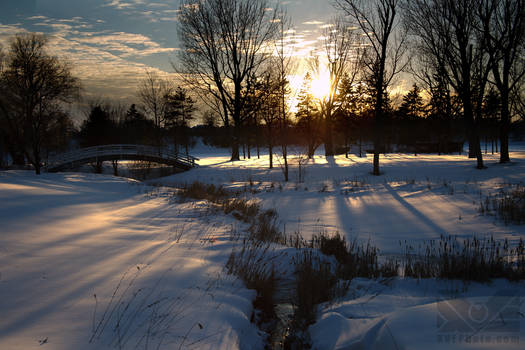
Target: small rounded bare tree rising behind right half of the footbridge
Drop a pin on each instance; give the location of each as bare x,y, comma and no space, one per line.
153,92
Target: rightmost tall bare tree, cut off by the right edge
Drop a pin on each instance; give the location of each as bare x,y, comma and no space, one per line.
502,23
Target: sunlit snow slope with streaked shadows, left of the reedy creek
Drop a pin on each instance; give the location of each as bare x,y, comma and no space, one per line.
66,237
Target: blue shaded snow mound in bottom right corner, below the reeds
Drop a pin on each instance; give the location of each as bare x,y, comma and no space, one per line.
426,314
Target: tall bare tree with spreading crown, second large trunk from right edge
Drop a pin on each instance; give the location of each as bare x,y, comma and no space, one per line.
448,37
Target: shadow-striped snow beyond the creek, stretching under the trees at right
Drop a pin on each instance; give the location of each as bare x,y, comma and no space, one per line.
416,199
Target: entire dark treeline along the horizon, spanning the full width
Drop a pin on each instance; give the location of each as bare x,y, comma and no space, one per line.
236,60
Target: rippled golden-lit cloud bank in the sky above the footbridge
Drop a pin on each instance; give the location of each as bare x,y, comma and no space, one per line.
101,59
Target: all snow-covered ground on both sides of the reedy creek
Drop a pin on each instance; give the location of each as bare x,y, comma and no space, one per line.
94,261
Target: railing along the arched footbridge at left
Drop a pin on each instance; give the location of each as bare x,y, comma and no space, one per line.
116,150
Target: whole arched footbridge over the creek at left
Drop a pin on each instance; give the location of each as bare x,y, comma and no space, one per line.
119,152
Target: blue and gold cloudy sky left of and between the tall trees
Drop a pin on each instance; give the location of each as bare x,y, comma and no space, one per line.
112,43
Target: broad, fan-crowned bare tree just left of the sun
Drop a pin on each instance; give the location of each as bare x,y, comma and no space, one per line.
224,43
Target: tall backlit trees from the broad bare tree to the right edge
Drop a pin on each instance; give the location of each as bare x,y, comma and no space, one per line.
467,56
